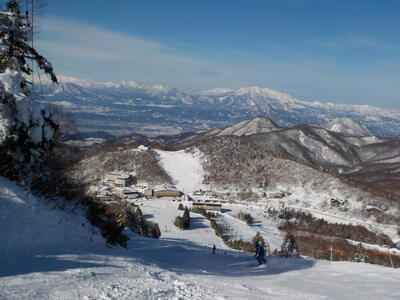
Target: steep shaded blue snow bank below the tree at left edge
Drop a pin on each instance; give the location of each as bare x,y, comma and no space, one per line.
29,224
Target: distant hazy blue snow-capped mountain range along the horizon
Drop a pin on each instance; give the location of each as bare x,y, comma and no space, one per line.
122,108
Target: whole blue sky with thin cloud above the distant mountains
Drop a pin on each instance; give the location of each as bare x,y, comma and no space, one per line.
328,50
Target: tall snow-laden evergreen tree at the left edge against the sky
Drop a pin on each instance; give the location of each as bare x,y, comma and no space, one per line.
26,127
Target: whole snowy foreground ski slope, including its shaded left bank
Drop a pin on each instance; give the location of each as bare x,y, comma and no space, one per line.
48,253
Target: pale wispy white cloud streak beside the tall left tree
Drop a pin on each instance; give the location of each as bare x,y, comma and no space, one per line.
102,54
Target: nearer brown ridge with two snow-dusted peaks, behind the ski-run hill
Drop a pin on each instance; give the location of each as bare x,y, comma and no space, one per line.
343,146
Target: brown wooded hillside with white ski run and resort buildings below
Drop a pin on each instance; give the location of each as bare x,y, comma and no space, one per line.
276,190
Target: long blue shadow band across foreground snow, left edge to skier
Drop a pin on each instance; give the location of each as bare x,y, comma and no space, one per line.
175,255
